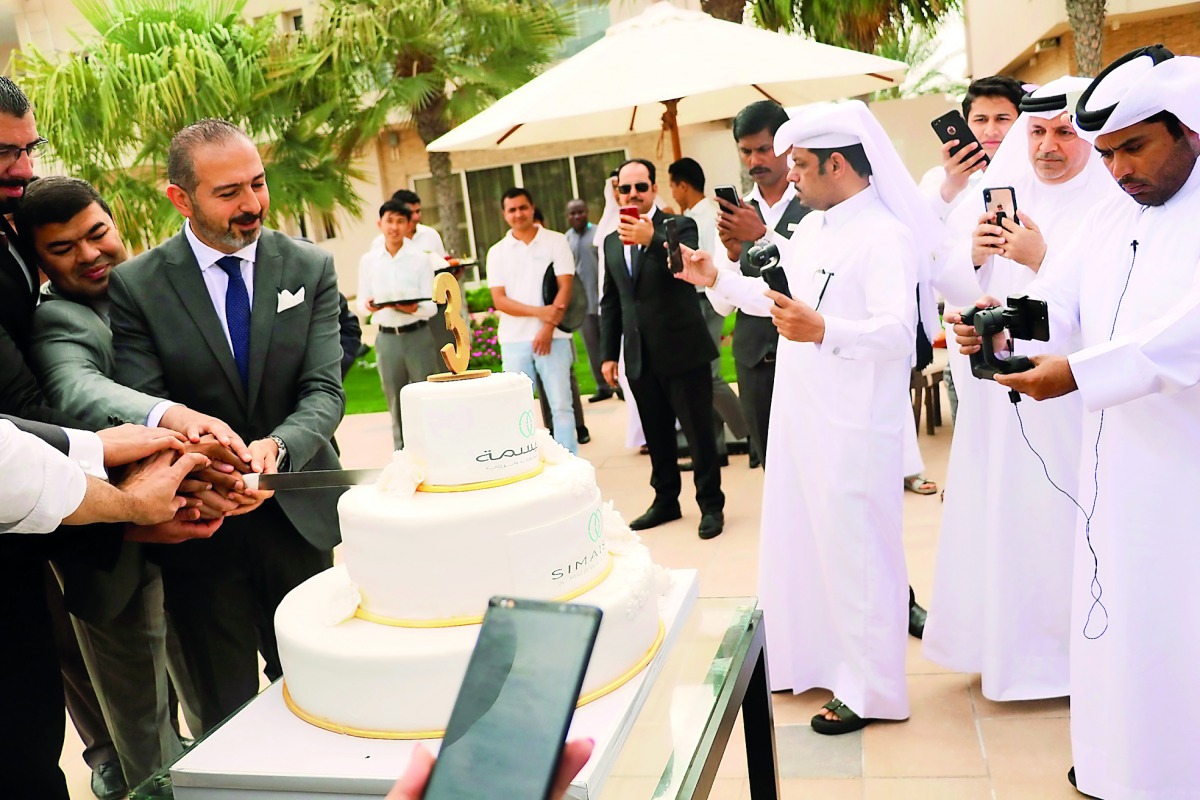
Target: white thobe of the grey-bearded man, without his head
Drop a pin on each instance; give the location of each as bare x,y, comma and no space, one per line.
1001,603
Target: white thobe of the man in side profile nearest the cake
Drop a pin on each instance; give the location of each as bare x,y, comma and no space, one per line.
832,578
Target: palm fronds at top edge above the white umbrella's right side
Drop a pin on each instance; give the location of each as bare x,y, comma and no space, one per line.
856,25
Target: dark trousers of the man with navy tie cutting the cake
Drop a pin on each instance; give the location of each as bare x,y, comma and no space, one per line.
221,599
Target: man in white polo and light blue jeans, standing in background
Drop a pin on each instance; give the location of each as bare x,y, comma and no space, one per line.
531,341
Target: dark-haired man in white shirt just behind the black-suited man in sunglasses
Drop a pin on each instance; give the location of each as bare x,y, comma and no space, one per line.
687,179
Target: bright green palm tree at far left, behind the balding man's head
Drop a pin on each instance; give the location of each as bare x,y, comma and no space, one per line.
111,107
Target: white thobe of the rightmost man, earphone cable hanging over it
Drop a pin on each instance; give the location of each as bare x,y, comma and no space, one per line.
1136,711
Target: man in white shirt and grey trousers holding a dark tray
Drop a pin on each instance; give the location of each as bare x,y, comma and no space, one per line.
397,290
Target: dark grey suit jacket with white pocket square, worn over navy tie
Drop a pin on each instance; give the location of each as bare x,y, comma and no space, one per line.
170,344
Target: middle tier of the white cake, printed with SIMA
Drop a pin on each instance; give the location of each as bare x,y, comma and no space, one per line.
441,556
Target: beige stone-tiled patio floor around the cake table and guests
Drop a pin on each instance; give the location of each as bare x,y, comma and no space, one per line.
957,747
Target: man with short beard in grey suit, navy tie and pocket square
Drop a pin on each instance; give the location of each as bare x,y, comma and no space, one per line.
238,322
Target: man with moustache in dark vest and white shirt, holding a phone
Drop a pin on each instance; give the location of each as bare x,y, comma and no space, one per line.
770,213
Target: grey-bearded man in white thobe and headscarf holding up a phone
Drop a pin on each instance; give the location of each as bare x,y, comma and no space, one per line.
1004,569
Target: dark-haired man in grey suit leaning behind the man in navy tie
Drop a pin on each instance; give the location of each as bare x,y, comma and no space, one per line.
118,615
